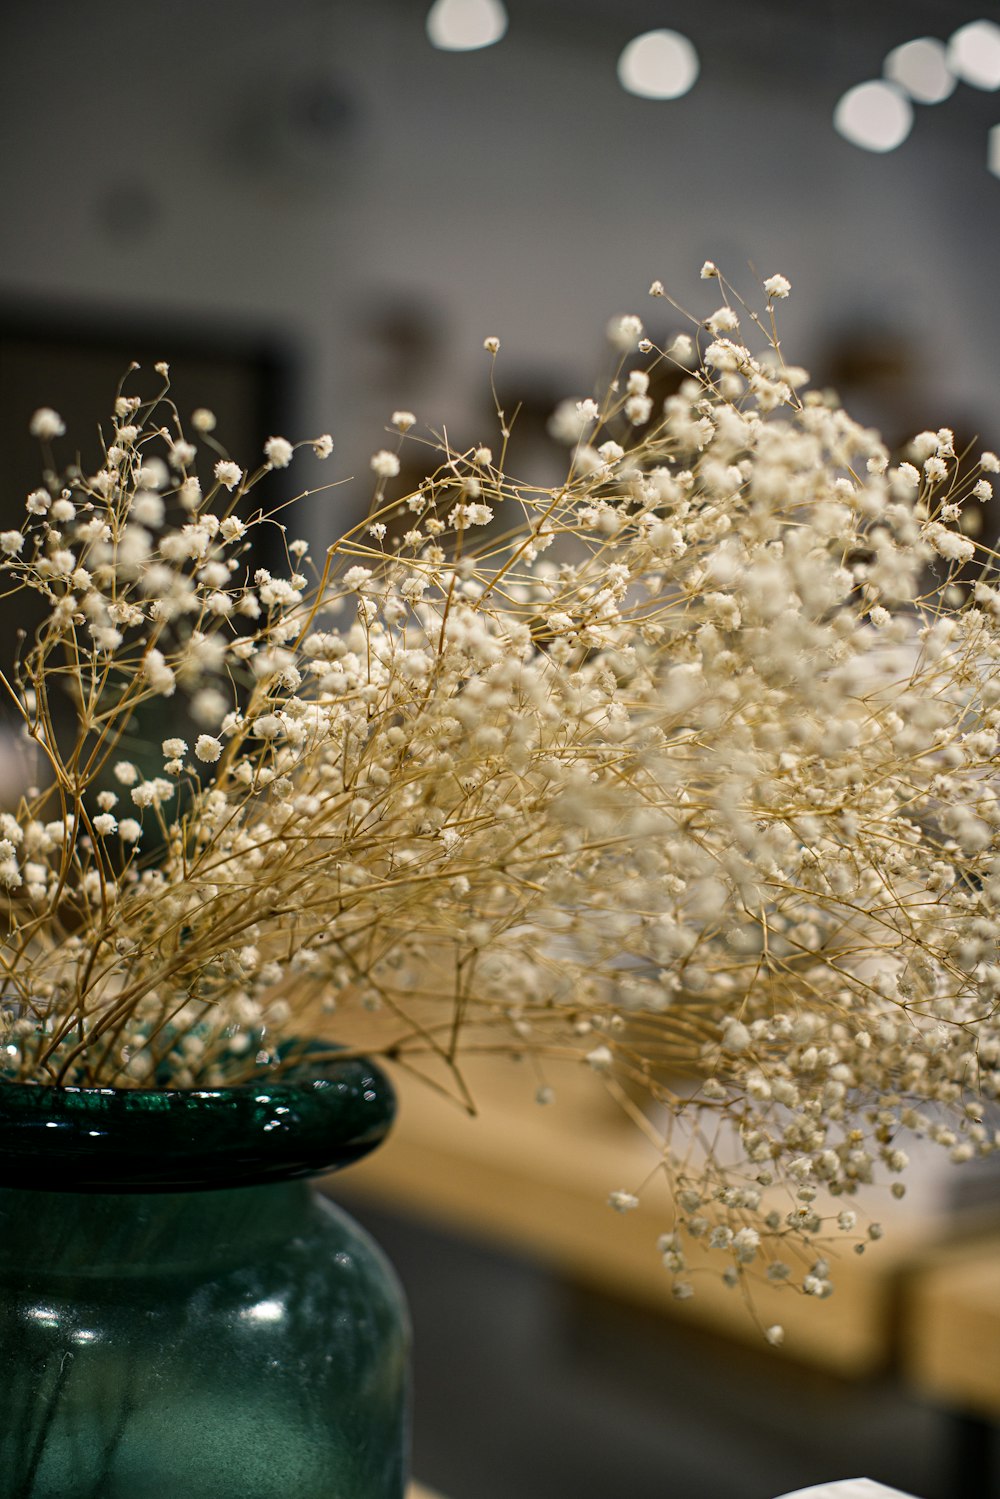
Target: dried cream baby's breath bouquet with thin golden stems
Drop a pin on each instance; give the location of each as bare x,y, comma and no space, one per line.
684,765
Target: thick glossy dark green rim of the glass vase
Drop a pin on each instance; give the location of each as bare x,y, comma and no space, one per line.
320,1115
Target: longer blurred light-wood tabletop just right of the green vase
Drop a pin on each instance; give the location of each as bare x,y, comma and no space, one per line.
536,1179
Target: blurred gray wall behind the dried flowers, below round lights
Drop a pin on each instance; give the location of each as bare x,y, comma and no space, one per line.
320,172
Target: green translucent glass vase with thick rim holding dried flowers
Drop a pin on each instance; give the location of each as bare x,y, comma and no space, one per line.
181,1315
